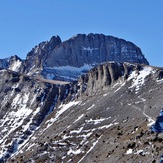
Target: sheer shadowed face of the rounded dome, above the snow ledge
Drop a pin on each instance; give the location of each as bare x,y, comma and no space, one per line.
94,49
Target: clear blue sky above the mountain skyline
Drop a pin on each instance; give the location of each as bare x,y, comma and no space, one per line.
26,23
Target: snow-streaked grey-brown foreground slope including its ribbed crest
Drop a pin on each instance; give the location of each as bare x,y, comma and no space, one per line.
104,117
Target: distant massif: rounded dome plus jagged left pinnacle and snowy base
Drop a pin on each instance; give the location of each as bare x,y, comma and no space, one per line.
56,59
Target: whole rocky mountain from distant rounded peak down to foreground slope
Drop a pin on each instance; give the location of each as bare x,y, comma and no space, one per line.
105,114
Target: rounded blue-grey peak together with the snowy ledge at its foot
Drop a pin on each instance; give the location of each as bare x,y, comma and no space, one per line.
86,51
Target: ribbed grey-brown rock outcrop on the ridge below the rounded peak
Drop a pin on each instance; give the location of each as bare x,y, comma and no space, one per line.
106,74
